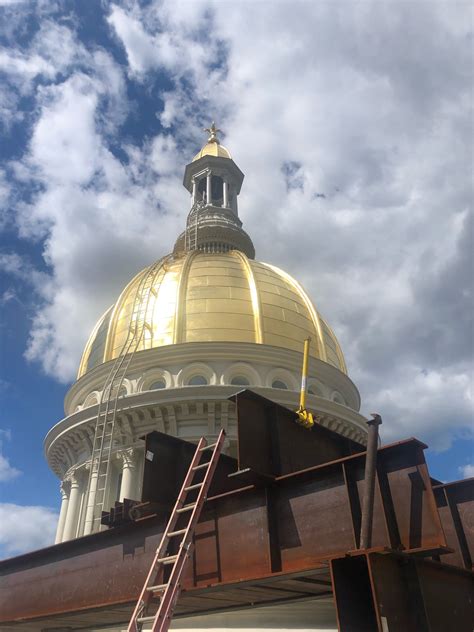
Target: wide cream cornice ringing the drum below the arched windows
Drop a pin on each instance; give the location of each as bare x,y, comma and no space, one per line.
168,410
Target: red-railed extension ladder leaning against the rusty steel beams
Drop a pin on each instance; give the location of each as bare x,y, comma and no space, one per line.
168,591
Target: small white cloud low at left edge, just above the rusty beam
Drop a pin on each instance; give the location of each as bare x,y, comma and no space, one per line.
25,528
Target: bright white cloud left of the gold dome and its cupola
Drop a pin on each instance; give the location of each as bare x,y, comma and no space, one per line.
92,209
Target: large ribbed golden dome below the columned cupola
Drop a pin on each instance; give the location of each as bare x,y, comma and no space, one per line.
226,297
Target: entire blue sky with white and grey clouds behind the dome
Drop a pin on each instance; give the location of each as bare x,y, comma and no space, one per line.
352,123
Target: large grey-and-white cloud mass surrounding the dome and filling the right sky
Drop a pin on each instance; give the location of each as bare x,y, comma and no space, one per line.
369,103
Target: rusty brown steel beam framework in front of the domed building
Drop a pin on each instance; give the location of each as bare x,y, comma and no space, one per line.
282,522
